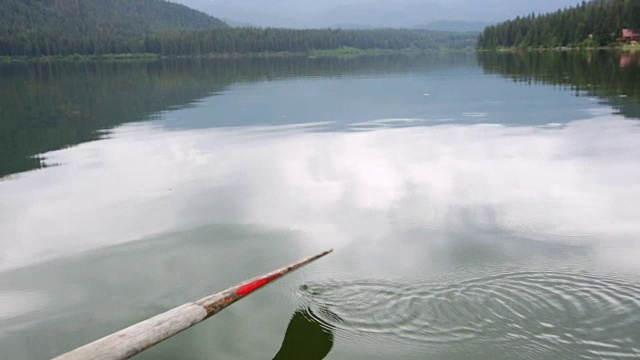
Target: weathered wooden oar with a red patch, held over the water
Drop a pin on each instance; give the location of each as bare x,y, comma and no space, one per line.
143,335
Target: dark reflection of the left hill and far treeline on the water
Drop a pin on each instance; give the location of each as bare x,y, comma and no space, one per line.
52,105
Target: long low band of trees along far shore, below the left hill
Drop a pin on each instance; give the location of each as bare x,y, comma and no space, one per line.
232,41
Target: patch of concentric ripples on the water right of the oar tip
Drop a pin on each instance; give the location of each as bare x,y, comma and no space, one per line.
526,313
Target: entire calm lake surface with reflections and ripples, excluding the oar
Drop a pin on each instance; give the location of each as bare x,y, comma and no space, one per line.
479,205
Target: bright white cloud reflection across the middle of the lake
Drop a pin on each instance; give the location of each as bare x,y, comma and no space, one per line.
577,184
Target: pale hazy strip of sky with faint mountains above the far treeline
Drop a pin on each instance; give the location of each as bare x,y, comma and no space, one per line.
395,13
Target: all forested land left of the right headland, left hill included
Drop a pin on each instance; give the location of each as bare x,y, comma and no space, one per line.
53,28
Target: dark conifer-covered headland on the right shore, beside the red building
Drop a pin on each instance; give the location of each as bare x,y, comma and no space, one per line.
594,23
